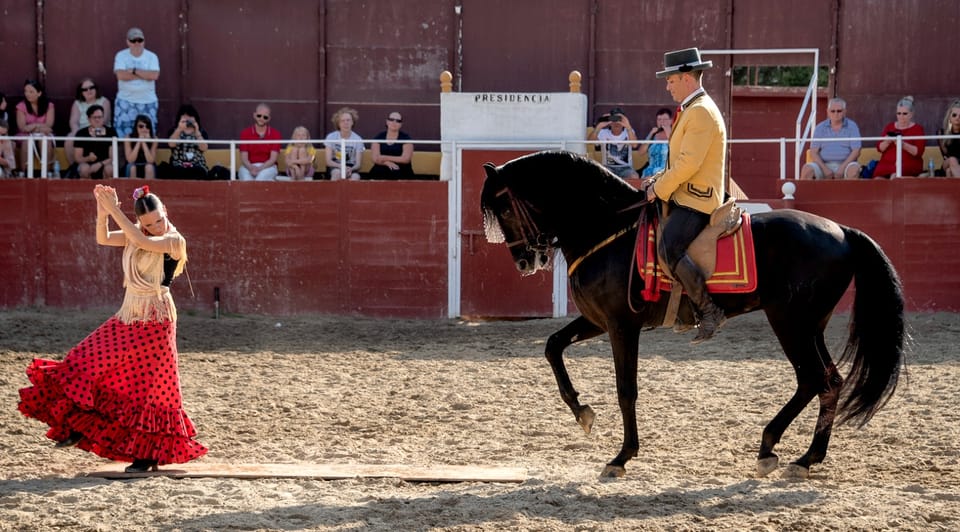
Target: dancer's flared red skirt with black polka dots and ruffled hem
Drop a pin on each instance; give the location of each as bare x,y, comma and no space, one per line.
120,388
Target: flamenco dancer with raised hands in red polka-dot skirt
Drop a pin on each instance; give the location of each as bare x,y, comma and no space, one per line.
117,393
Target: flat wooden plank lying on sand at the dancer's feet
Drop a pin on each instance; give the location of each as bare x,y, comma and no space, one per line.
438,473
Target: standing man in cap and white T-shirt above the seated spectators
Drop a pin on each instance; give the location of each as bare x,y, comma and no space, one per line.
137,71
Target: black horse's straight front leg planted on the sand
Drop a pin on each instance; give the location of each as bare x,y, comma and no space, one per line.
624,341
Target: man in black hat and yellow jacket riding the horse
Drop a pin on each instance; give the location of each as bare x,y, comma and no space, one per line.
692,183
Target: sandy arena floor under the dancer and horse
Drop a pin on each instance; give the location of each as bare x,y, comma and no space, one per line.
345,390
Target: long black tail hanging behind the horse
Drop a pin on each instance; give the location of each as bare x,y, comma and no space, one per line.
875,348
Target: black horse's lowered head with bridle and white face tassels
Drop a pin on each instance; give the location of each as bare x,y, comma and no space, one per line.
514,221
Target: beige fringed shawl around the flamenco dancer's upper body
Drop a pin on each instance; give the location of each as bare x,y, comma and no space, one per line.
145,298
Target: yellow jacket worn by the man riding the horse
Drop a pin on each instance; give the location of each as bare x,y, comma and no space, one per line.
698,151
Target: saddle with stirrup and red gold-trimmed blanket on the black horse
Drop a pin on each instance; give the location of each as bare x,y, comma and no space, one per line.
737,264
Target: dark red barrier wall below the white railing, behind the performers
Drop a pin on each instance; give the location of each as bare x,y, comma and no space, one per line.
374,248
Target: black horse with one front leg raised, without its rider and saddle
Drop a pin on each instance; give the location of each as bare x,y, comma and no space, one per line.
805,263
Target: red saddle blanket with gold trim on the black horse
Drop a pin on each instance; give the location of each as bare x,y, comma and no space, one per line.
735,272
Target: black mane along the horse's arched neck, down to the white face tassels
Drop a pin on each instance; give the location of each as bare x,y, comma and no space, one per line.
563,179
